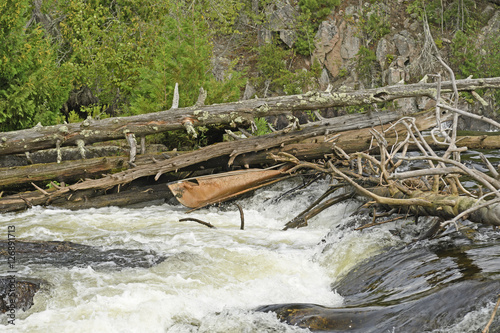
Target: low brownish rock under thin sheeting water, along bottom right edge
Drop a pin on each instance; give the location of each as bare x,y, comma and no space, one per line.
434,311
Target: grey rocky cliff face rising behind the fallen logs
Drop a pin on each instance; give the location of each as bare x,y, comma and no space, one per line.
365,44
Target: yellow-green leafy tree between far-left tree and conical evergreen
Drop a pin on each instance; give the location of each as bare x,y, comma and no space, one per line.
104,47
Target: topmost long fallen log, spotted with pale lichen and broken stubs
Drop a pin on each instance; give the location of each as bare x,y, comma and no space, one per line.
231,114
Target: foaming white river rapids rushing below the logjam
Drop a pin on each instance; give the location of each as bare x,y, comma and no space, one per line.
210,280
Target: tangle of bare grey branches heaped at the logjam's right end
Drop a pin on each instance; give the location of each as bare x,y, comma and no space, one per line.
435,191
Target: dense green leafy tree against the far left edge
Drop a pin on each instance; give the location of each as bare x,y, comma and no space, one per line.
32,86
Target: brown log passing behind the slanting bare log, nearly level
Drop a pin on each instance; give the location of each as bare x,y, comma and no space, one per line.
315,148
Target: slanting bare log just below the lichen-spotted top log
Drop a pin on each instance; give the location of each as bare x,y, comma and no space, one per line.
232,150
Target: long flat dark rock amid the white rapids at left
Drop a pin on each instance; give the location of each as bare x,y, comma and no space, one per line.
77,255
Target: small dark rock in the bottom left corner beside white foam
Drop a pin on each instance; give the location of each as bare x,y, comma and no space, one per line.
17,293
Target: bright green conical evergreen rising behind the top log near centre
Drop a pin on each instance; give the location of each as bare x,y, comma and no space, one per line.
182,54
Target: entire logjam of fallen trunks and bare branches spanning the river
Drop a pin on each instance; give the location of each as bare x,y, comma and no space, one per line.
63,166
